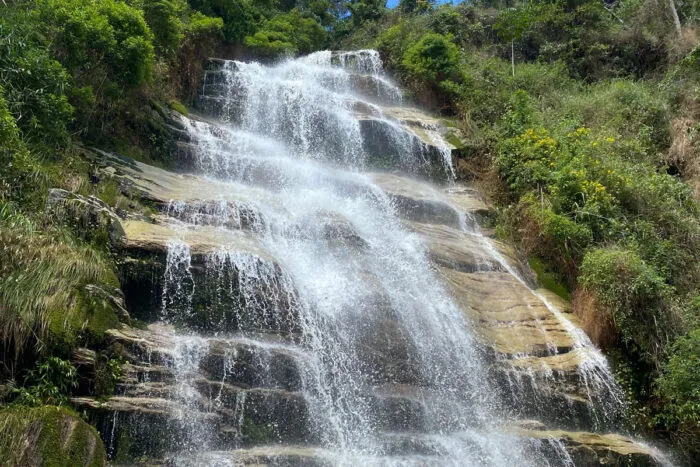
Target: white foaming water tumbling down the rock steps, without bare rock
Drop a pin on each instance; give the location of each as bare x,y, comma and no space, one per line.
337,277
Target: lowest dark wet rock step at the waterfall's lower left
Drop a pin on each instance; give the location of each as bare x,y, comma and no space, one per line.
221,417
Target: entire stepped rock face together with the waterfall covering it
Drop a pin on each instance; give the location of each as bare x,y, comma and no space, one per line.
308,312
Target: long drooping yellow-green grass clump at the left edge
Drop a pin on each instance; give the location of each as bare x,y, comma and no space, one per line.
41,275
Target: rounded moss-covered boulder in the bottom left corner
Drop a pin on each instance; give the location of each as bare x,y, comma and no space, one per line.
48,436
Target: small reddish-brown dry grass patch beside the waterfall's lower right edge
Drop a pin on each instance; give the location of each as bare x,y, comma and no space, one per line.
596,321
